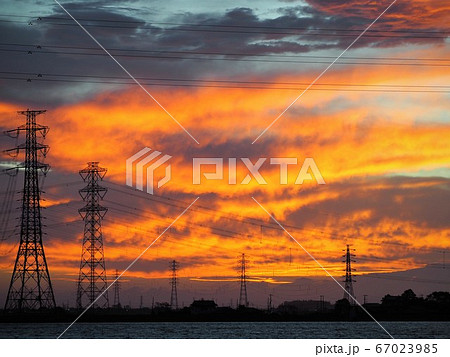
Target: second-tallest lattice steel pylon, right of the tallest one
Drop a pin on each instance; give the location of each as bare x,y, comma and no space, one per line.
92,278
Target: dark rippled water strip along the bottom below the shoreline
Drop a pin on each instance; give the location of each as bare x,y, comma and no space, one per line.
277,330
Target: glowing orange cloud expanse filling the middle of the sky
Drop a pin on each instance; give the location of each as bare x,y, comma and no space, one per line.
353,136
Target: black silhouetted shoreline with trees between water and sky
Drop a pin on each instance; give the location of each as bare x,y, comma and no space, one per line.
222,314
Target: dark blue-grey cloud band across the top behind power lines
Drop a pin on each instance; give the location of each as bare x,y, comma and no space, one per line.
236,34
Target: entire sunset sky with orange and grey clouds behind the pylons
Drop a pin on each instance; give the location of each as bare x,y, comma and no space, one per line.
376,124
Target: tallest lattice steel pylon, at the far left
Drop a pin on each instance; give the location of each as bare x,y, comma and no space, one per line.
30,287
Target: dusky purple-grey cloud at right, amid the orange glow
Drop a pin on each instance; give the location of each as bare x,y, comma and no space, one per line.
420,201
